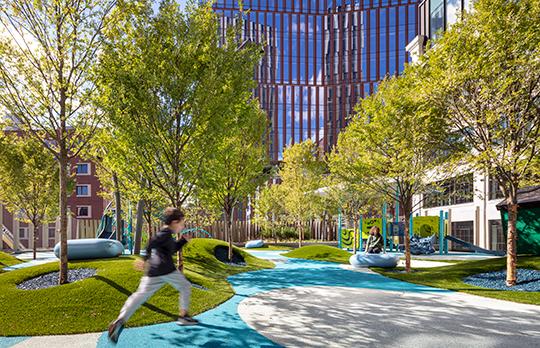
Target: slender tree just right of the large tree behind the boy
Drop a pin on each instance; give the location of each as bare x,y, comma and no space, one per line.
236,168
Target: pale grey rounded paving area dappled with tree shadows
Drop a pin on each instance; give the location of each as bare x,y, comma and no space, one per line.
351,317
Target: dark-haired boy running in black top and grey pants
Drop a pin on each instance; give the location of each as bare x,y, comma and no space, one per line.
159,270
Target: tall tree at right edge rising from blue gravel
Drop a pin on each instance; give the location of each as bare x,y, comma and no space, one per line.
485,72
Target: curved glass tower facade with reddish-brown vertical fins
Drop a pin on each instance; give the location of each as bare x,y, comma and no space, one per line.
321,57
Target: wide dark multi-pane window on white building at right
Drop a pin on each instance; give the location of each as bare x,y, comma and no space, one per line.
457,190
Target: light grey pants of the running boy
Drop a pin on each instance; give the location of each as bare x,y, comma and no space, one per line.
149,285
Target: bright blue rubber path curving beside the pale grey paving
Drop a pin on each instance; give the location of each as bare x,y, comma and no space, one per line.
223,327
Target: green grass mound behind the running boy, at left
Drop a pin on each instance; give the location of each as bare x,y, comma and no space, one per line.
91,304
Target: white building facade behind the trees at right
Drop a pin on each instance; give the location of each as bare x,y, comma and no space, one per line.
469,198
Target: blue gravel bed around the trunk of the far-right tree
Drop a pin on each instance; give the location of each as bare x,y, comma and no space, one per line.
528,280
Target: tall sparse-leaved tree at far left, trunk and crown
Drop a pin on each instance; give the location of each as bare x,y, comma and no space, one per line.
46,53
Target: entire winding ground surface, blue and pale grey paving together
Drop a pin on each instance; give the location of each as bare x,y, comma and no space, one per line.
307,303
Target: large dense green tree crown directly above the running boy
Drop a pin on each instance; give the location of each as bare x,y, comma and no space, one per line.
169,90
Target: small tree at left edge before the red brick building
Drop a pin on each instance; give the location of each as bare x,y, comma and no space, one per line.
28,185
